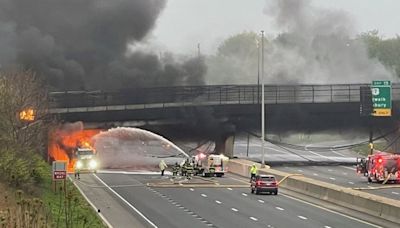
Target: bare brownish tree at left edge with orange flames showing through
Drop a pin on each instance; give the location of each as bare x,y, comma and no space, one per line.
23,111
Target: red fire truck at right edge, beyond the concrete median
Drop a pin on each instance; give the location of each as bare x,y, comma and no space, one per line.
380,167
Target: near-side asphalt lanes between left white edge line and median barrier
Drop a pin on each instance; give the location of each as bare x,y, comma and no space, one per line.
221,207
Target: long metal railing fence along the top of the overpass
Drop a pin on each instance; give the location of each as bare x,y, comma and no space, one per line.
214,94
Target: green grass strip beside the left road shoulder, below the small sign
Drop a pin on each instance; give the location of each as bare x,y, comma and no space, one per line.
67,207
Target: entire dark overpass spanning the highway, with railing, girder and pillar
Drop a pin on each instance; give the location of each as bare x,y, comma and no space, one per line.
220,108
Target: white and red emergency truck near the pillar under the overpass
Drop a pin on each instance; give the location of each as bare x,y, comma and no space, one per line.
211,165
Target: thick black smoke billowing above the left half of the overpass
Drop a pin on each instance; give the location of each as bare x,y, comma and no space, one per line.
84,44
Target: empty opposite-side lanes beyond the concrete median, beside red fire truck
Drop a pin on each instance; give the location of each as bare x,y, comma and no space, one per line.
344,176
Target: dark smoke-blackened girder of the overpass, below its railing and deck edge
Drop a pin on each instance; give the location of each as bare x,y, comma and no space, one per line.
279,116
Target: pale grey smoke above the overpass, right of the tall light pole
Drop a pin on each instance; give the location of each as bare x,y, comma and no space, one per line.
316,46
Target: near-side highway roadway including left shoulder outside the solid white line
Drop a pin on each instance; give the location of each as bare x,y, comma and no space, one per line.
197,206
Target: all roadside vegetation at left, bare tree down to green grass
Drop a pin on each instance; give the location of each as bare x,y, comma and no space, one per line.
27,198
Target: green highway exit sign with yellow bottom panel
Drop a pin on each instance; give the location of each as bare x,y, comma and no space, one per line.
381,98
